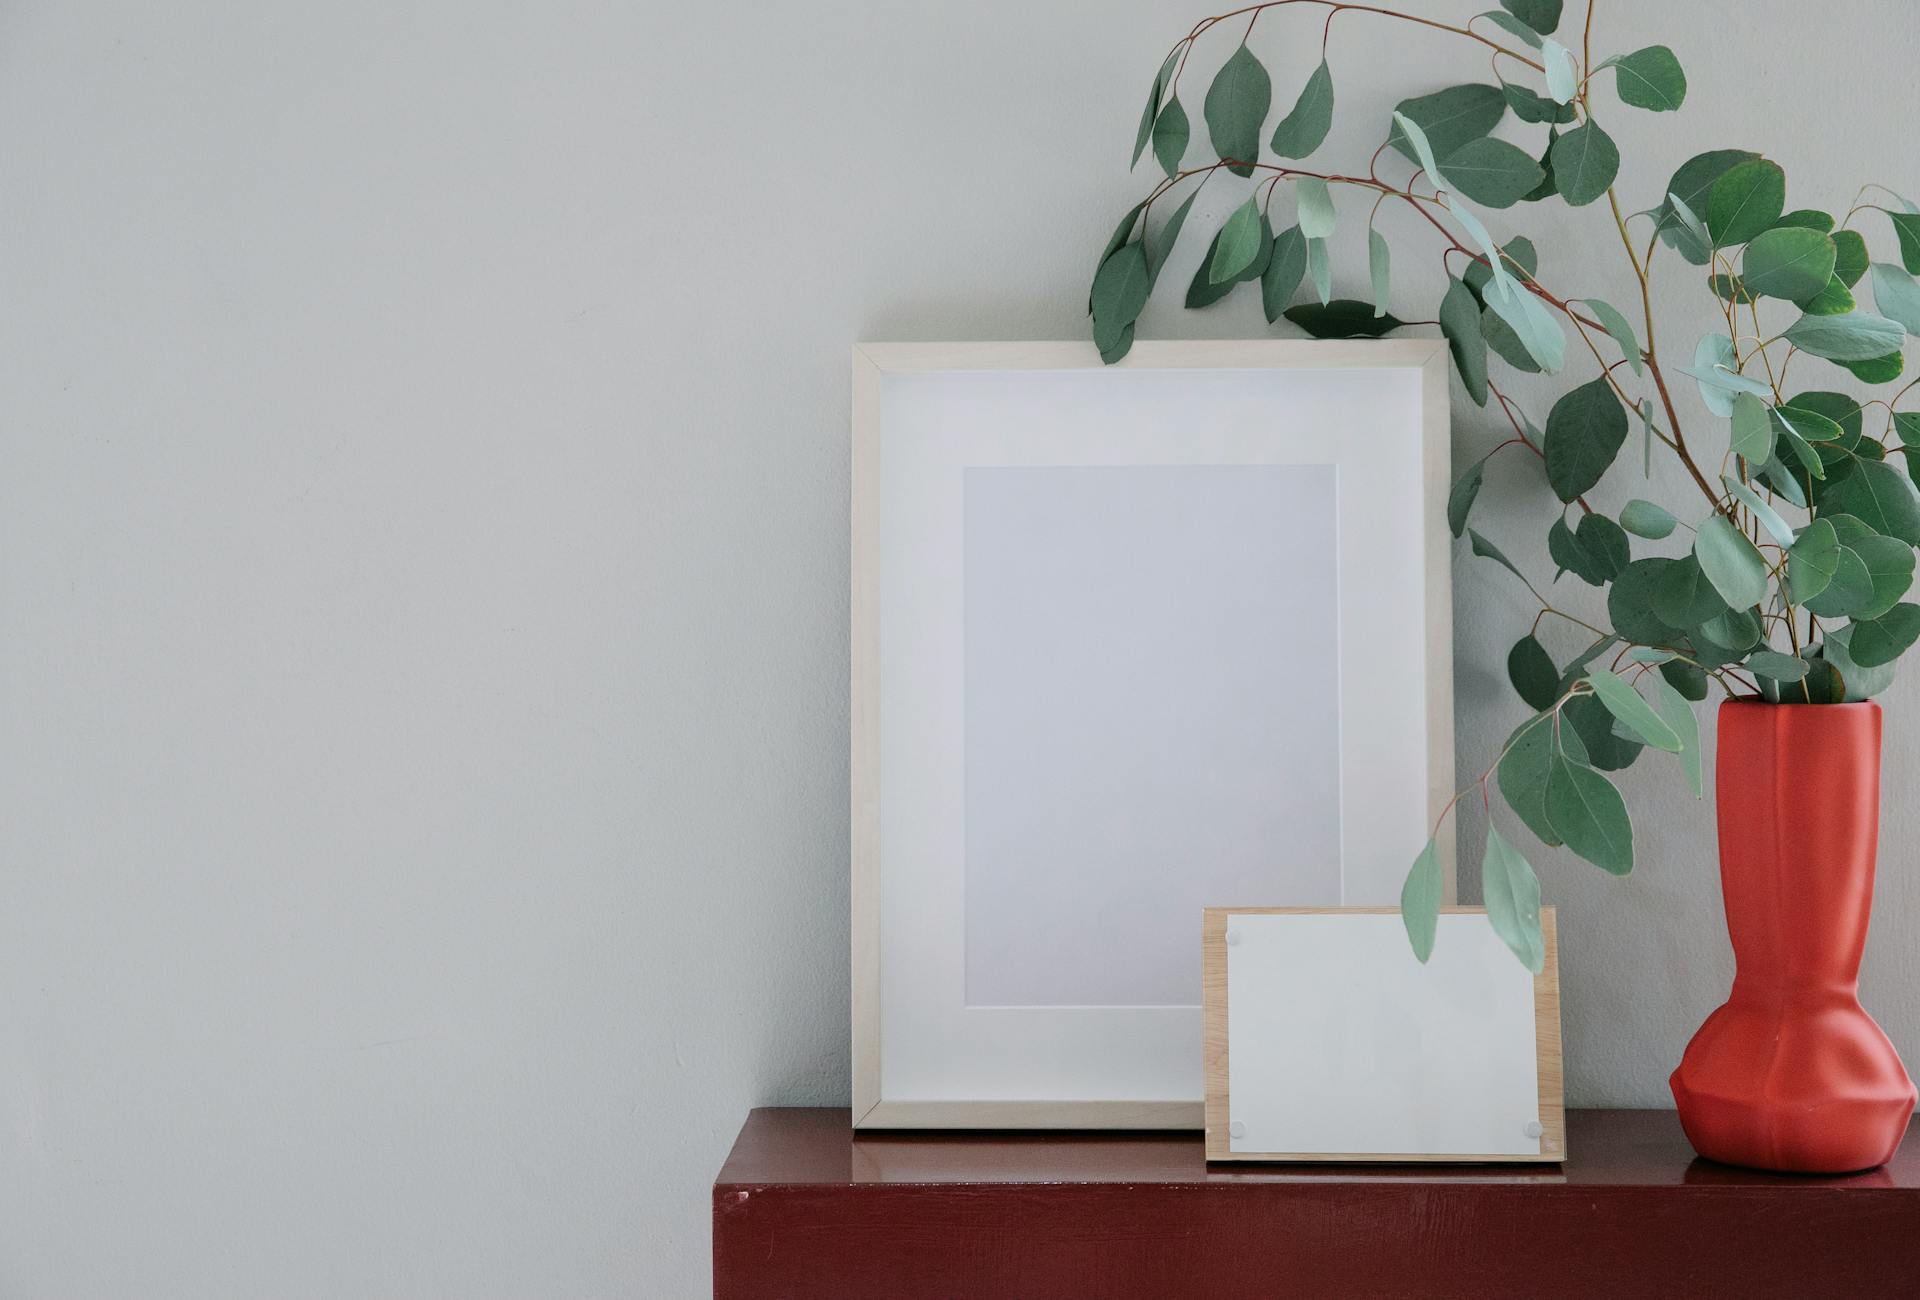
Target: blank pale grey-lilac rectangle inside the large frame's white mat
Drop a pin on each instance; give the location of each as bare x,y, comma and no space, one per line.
1151,719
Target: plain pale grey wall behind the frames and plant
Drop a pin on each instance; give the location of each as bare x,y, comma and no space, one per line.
423,564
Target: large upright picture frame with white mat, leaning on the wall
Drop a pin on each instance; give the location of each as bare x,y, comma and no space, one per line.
1045,788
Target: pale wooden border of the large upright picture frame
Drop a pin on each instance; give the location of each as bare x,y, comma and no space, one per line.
873,1109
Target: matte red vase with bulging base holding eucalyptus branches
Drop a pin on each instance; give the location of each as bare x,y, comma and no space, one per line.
1792,1074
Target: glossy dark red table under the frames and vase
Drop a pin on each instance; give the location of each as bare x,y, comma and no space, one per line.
805,1209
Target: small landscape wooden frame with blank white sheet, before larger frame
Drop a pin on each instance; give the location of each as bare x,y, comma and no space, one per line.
1330,1042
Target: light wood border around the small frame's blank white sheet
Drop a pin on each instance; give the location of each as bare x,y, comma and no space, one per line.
1218,1099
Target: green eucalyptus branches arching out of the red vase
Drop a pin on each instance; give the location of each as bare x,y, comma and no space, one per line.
1800,548
